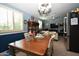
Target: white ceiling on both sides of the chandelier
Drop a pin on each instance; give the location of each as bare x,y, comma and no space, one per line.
58,9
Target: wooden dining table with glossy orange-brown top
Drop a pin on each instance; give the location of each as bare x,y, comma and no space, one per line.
34,46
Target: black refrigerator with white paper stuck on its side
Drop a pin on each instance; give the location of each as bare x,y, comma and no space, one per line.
72,30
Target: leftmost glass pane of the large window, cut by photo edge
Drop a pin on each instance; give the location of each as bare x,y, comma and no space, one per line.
3,18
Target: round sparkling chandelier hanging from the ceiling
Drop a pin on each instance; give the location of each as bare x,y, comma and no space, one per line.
44,9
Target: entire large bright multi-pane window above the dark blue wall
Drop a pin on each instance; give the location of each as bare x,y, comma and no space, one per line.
10,19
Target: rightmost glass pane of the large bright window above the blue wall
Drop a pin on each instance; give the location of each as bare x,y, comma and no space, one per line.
18,20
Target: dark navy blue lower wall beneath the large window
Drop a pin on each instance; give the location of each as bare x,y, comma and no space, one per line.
8,38
